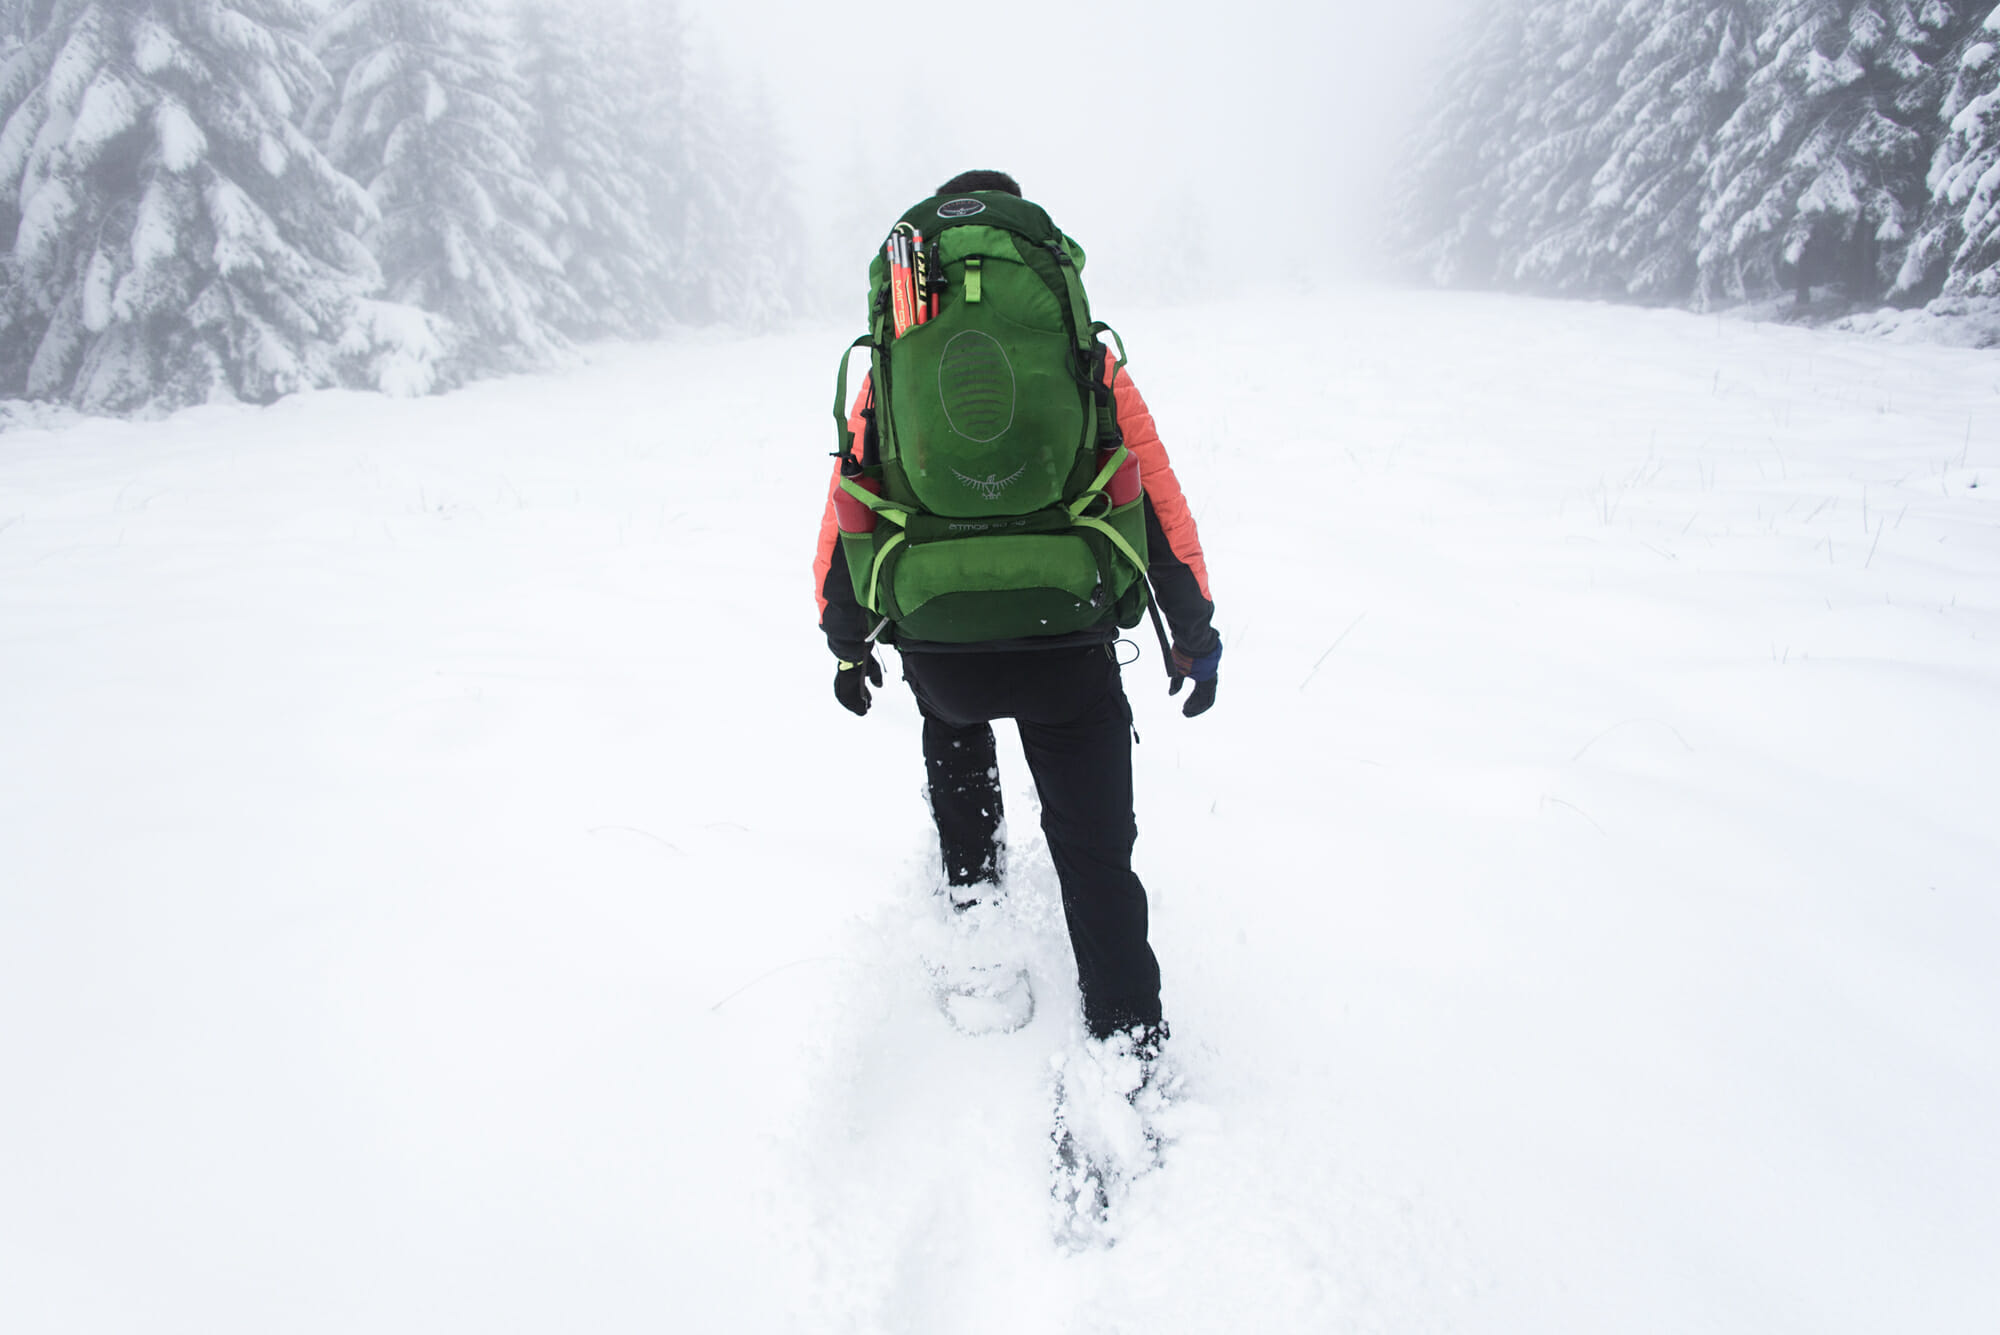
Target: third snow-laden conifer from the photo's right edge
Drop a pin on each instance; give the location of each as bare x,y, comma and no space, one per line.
1683,83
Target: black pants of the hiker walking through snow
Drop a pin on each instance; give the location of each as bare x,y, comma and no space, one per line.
1077,732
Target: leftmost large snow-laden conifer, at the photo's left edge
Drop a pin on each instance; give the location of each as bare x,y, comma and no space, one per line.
173,233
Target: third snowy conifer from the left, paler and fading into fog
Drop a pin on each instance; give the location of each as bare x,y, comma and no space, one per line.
609,247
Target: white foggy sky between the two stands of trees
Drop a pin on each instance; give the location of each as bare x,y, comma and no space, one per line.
1133,123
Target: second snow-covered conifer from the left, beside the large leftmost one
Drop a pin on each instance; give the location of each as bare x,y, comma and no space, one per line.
431,119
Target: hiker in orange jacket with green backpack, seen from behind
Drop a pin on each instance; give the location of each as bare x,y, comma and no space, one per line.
999,509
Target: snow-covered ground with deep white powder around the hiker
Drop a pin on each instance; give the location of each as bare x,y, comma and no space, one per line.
439,890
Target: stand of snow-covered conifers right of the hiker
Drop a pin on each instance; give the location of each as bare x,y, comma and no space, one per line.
1713,153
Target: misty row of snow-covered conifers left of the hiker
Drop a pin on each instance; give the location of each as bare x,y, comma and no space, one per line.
243,199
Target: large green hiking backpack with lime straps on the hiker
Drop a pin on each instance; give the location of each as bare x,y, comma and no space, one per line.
987,471
